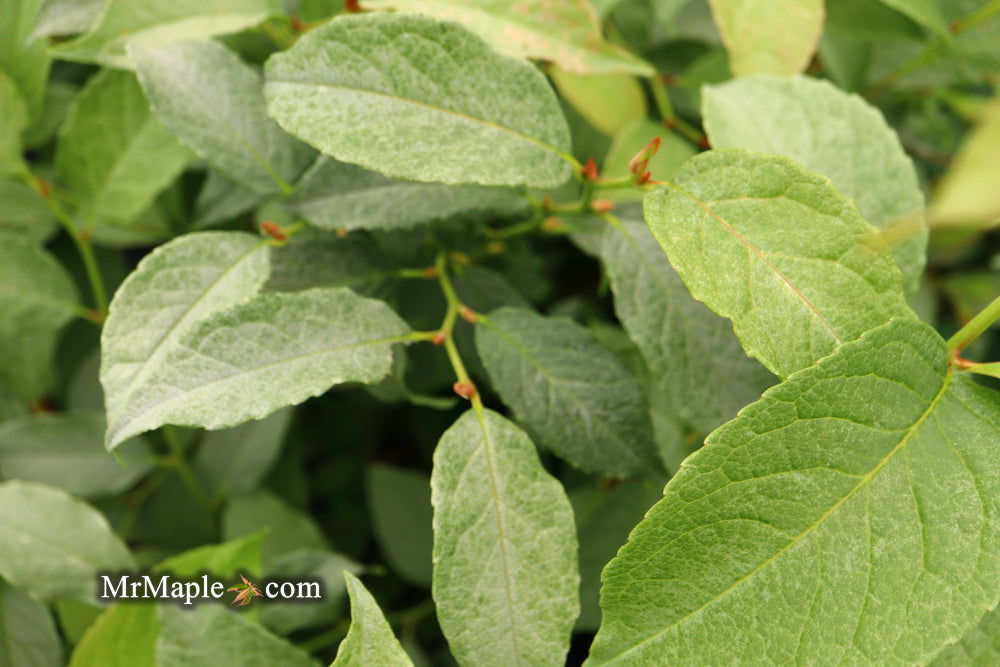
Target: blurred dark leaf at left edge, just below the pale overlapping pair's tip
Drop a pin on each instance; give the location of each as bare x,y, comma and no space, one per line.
66,450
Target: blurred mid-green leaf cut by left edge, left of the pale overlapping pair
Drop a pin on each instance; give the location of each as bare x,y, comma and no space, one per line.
37,298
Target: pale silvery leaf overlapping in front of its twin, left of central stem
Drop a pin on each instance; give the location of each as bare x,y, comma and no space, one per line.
276,350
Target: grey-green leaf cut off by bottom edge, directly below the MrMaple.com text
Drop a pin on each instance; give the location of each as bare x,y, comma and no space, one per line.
214,635
